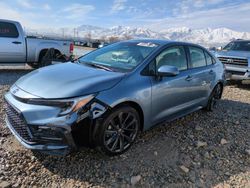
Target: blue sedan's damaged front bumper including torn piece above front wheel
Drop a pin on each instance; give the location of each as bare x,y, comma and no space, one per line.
40,128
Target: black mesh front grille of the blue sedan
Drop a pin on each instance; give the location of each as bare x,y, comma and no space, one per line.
18,123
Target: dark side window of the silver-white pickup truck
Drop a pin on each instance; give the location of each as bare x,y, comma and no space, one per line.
8,30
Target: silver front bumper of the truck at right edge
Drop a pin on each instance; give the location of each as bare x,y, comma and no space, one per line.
237,72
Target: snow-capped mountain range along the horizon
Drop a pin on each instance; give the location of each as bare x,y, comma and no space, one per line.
207,36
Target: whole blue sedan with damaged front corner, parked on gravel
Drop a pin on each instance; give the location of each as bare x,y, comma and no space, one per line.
107,102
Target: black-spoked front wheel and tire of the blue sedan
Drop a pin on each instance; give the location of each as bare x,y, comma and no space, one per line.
119,130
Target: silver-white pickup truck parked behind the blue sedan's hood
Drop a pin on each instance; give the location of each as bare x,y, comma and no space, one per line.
17,49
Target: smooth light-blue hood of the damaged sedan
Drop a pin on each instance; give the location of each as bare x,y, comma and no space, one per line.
67,80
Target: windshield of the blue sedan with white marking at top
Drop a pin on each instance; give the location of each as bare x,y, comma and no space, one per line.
122,57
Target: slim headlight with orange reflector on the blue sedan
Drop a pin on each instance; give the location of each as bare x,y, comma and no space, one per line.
66,105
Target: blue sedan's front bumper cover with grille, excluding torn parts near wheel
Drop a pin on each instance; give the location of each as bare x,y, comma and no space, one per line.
49,135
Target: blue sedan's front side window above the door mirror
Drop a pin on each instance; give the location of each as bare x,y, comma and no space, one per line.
173,56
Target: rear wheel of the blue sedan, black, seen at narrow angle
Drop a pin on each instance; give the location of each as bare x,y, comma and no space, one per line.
214,97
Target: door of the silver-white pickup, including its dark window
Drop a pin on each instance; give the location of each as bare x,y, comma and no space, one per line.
12,48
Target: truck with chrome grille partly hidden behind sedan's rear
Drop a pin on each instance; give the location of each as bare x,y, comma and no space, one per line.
236,58
